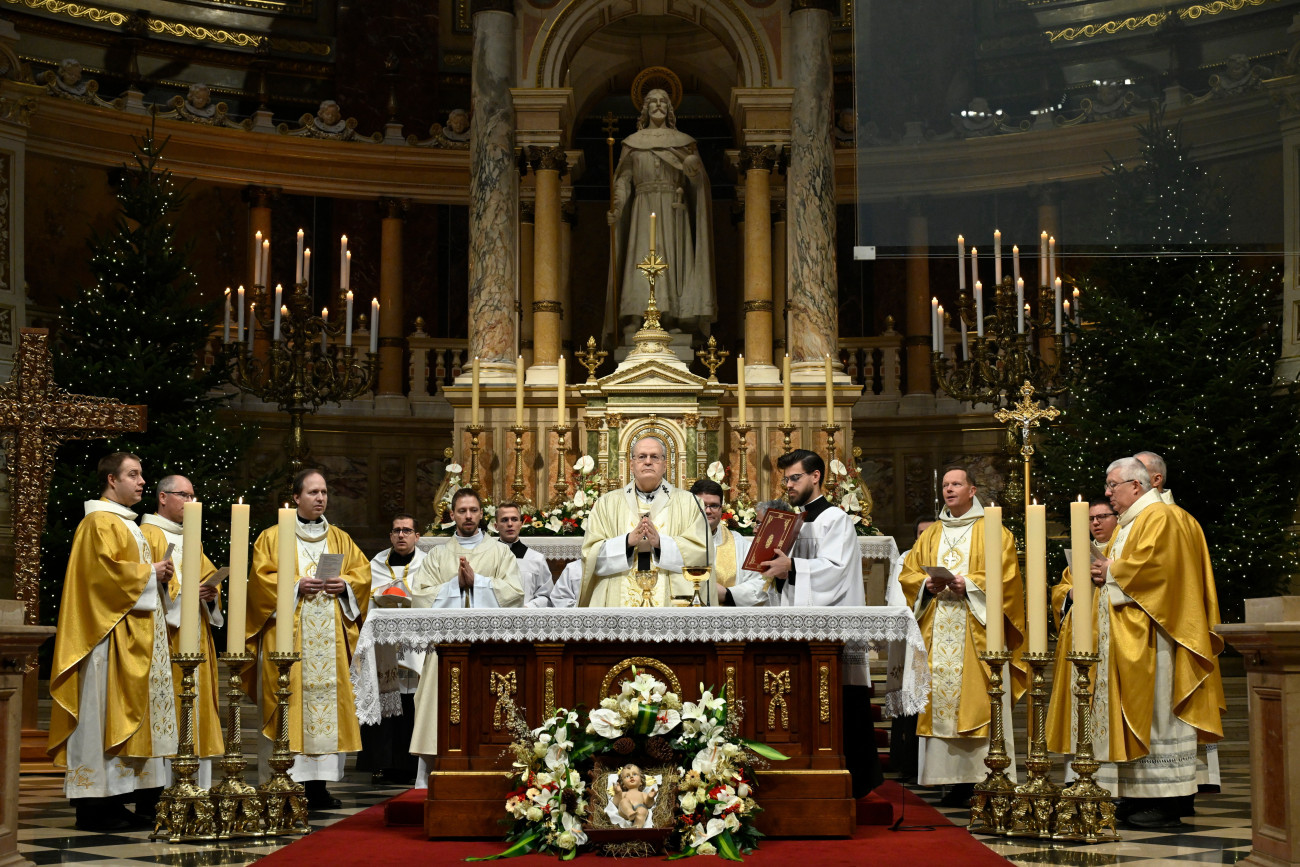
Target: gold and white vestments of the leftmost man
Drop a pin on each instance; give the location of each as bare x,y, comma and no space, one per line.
114,712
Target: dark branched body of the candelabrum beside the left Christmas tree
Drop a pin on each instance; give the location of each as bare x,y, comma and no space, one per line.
306,367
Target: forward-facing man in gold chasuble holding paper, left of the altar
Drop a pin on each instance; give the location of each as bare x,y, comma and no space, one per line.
331,582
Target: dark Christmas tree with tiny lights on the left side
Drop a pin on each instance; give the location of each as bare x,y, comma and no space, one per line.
140,335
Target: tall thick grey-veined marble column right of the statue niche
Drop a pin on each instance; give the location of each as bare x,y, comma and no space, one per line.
811,193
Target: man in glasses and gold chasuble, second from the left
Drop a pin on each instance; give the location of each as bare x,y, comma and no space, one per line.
163,531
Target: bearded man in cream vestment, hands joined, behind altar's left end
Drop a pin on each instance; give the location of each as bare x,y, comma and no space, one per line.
471,571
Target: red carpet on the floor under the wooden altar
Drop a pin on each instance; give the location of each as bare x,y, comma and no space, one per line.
366,840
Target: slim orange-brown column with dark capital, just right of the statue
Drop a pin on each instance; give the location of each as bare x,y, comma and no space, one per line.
757,164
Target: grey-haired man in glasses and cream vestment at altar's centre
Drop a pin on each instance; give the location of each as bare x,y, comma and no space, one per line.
651,527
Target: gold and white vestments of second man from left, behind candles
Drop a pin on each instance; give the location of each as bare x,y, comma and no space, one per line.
162,532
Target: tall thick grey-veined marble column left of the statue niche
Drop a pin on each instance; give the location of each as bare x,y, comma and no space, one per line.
493,190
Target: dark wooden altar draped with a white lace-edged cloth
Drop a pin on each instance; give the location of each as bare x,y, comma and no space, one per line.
782,664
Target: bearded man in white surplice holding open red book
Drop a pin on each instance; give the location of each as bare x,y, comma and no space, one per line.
826,570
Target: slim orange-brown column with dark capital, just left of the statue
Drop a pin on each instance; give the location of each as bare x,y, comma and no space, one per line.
548,166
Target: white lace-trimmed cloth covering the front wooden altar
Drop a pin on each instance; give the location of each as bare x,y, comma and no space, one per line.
891,630
